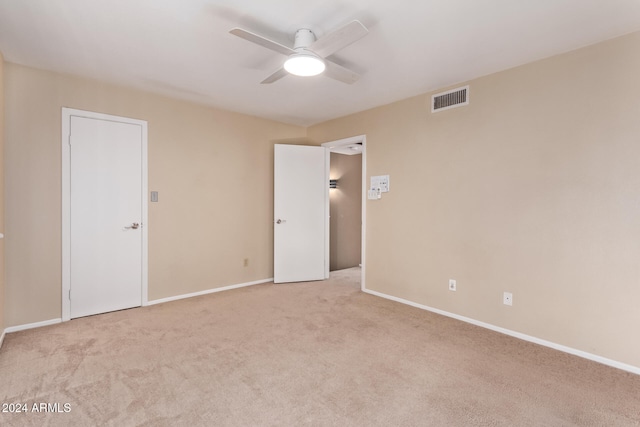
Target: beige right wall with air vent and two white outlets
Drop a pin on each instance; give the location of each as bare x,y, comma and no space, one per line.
533,189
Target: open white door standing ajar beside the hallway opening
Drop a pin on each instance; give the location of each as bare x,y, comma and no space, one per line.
301,217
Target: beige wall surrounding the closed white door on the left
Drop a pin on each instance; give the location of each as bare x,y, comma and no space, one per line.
213,171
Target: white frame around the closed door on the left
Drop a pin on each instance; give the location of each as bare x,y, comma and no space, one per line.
67,113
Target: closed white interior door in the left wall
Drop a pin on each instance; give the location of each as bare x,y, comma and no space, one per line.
106,215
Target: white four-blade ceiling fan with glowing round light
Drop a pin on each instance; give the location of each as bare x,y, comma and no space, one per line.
308,57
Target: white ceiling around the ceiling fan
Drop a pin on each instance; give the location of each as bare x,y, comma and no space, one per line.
183,48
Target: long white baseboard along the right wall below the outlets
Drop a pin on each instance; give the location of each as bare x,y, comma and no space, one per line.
563,348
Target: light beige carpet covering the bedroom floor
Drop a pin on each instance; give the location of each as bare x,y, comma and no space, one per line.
316,353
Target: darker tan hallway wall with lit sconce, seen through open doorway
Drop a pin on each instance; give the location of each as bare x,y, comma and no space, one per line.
345,211
